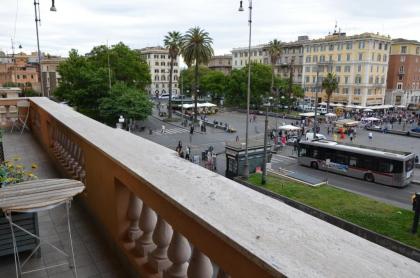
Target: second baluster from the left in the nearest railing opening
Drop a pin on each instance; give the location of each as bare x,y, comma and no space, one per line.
147,224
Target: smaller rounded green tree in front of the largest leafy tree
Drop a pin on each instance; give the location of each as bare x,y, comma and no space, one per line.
127,101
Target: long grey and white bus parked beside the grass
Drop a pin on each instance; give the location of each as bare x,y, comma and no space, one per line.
382,166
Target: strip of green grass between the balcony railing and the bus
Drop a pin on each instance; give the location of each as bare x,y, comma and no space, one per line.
379,217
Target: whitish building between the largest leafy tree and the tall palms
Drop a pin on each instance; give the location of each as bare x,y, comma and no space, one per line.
160,64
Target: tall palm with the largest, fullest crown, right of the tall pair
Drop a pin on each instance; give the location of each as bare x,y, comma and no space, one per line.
196,49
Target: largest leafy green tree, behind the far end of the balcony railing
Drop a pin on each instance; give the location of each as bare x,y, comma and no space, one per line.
85,79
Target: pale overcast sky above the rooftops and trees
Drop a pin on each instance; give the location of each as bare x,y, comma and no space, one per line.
82,24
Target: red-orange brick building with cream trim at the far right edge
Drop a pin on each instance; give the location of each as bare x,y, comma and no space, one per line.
403,81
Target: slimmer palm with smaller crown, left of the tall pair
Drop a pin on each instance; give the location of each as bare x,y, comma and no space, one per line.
172,41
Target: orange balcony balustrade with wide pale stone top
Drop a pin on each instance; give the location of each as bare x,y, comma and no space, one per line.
171,218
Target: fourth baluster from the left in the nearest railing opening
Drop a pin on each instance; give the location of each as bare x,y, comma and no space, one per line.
179,253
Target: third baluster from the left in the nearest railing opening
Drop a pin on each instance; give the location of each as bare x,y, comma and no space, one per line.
161,237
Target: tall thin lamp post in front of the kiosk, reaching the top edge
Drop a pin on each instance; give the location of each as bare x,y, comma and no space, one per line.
248,96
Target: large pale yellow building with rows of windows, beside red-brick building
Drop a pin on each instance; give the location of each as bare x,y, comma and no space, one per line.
360,63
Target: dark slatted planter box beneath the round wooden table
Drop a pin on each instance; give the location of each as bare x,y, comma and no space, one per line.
25,242
